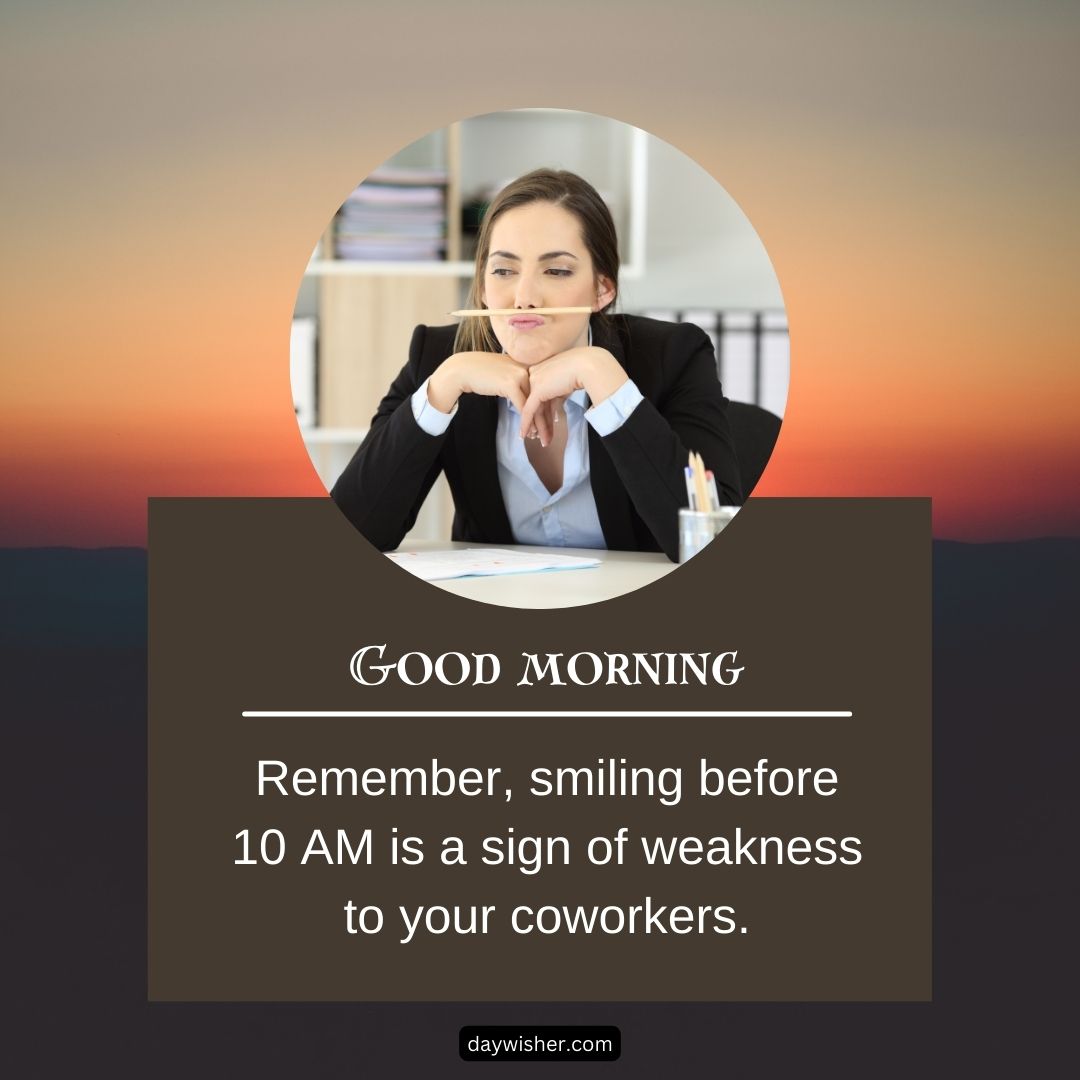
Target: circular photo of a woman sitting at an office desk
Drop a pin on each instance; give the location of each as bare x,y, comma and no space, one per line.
534,342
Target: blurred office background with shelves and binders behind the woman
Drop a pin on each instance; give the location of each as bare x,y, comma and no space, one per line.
400,253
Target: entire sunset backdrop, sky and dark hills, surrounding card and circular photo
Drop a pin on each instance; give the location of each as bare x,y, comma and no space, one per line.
913,171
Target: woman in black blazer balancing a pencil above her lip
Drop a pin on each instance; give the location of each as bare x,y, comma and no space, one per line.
566,430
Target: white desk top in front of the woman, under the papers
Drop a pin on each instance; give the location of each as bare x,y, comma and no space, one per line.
620,572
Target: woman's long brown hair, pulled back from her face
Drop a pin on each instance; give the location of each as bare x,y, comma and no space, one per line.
563,190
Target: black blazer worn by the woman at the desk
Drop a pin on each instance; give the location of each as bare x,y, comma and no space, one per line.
637,472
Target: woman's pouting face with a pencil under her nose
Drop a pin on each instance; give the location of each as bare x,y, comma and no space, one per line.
538,260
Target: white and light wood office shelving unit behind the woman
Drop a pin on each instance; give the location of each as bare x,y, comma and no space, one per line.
368,310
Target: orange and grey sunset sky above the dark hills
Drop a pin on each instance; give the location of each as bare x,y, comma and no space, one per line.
913,172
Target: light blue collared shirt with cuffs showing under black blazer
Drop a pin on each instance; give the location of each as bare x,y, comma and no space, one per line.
566,519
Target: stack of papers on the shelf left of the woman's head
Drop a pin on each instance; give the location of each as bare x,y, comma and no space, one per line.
397,214
